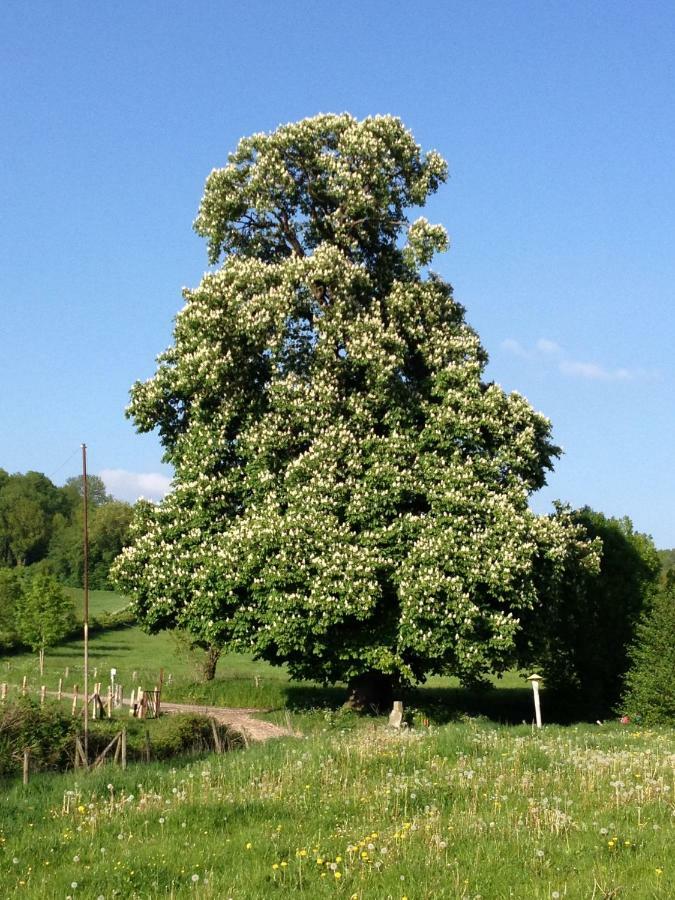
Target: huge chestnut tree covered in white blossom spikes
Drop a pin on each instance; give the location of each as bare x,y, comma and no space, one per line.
350,496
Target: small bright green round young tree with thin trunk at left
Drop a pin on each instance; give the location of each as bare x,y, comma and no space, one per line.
45,613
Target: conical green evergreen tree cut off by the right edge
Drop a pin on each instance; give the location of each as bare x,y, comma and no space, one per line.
650,681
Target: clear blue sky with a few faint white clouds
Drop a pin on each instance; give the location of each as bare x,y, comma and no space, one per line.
557,121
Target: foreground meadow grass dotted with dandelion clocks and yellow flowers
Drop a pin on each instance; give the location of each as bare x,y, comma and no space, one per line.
464,810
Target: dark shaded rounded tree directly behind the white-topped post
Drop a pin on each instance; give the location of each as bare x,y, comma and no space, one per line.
580,637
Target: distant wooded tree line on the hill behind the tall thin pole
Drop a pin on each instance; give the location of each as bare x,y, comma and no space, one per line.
41,527
